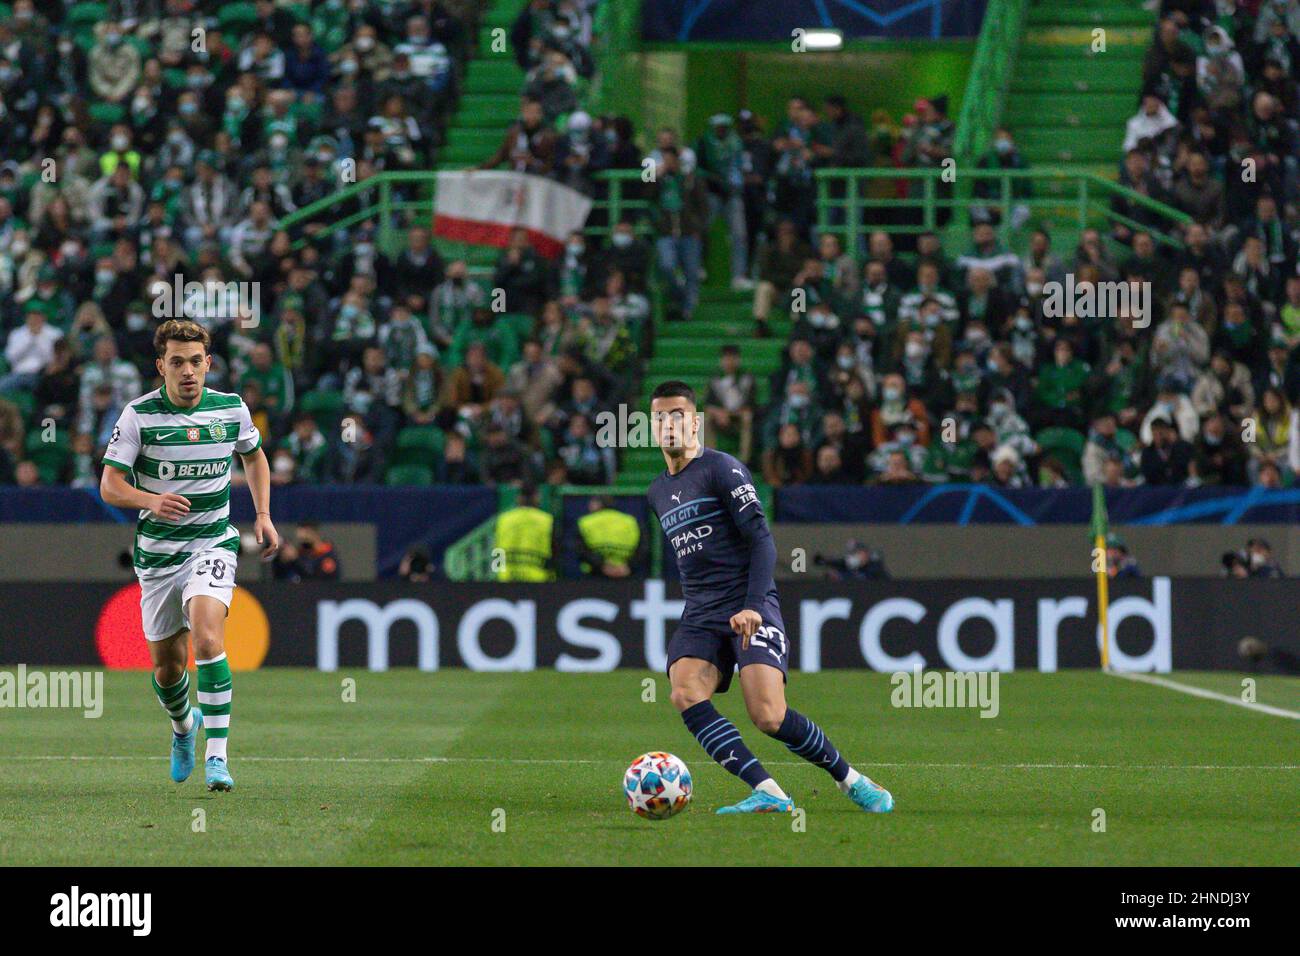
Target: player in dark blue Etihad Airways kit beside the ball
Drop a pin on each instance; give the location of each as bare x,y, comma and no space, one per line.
716,527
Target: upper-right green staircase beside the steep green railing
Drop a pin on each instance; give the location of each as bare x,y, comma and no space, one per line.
1067,105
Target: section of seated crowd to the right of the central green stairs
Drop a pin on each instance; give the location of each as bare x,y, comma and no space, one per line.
954,370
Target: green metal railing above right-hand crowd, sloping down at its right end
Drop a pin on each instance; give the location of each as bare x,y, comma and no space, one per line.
847,201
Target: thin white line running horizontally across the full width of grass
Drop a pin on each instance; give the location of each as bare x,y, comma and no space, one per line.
240,759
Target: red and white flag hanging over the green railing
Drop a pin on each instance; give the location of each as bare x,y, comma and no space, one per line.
483,207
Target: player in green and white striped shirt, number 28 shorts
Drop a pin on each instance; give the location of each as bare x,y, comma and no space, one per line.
177,443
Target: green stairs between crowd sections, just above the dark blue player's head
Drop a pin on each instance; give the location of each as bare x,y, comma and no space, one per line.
690,352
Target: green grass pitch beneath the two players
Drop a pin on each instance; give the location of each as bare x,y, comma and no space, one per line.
422,767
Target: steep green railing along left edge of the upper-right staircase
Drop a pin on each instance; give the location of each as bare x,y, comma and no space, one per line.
990,79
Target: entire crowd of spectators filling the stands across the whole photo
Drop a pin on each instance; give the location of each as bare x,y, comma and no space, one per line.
136,153
